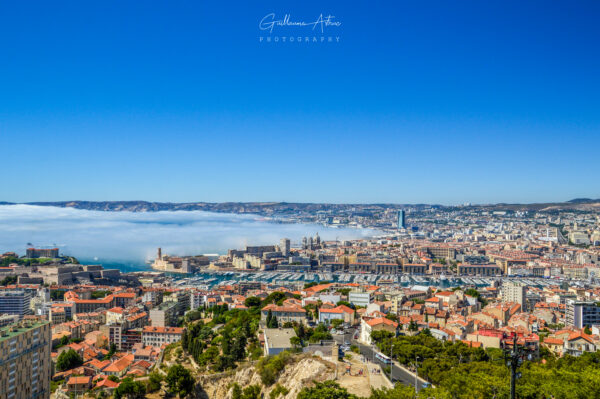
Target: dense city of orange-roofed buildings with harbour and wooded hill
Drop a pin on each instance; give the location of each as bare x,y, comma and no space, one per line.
442,288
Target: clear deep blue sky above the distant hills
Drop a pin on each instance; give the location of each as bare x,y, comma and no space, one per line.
439,102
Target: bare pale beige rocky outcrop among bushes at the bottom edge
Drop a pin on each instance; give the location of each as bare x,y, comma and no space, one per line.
295,376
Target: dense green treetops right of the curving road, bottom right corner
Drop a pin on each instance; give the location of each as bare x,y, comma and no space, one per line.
459,371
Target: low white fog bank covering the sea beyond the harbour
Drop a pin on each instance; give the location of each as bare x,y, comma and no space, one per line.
130,238
